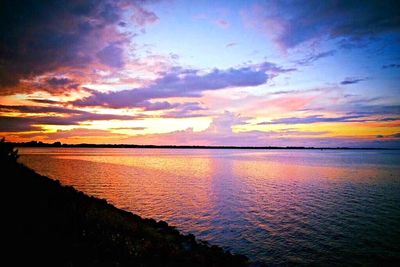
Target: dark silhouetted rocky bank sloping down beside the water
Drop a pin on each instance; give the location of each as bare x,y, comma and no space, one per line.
51,224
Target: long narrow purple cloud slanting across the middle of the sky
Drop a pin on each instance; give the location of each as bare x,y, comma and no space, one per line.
182,83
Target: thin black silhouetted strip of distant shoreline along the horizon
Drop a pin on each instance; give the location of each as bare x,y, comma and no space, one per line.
84,145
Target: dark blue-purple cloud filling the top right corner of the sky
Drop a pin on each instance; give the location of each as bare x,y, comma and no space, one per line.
291,23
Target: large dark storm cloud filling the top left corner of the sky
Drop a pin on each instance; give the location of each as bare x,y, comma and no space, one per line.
41,36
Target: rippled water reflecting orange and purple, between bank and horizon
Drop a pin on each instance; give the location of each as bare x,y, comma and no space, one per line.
331,207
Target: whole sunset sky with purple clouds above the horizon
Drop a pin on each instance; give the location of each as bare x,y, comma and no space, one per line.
244,73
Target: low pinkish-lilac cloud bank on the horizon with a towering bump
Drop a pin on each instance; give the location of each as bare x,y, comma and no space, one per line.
220,133
